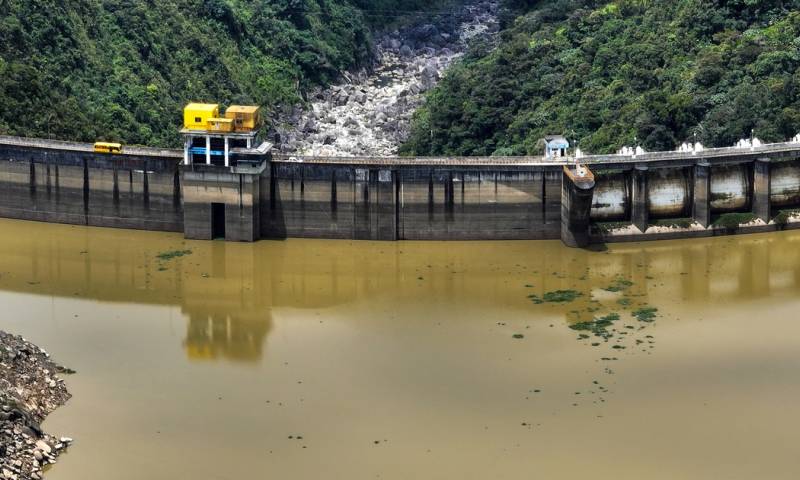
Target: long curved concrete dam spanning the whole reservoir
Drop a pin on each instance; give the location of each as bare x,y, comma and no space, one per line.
256,194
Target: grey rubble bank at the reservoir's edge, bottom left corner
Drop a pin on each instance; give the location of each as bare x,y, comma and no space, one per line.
29,391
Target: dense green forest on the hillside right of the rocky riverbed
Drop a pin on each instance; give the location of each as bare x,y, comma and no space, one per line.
654,71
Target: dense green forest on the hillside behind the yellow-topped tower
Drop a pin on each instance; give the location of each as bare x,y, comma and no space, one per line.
122,69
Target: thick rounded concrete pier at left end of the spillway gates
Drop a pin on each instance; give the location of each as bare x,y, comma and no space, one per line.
576,206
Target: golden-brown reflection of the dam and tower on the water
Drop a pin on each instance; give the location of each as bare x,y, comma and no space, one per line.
230,293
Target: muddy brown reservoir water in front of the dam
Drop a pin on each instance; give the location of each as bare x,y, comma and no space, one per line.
309,359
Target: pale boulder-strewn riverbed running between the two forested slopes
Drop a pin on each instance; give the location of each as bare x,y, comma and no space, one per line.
370,112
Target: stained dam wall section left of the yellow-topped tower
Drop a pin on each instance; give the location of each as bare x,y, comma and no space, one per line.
136,191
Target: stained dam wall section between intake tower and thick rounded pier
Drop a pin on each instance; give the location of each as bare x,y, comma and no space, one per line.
411,202
